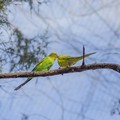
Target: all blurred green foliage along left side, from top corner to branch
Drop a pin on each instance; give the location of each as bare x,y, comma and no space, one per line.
20,52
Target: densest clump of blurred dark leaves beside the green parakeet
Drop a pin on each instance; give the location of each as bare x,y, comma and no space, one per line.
26,52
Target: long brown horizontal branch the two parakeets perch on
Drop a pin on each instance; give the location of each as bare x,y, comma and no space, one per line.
115,67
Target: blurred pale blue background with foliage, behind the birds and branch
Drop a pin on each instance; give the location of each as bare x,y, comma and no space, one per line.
32,29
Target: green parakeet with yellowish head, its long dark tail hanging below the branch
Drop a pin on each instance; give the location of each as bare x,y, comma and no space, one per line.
44,65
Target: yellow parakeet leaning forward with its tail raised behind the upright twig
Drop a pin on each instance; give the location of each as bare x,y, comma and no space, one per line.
67,61
